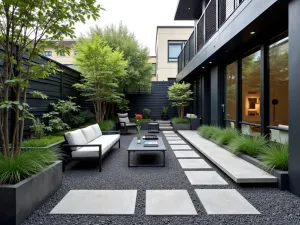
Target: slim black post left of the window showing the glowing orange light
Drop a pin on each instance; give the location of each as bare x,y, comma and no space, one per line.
239,101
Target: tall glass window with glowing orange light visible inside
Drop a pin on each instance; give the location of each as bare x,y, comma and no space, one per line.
251,90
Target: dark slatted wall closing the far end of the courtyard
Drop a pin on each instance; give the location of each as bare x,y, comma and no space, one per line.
154,101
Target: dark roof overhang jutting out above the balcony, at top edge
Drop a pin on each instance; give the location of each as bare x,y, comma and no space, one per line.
188,10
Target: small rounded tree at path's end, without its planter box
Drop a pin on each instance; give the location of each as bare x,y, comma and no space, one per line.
180,94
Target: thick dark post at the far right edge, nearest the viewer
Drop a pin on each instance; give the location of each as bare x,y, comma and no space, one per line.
294,93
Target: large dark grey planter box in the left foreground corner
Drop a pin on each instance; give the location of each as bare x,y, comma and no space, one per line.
19,201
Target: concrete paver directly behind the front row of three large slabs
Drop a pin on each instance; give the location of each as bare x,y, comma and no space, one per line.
205,178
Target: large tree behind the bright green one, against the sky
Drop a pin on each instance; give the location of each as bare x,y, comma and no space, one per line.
139,71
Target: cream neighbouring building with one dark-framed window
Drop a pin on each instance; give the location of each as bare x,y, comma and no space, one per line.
169,43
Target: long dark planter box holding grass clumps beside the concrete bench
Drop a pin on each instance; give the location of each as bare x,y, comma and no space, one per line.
282,176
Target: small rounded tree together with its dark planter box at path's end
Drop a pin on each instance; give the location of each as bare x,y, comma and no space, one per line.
180,95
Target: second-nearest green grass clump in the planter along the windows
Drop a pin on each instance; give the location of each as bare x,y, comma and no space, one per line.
251,146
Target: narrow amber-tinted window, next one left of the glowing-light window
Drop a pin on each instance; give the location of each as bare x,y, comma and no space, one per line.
230,105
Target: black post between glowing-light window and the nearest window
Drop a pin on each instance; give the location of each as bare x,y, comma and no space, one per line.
264,90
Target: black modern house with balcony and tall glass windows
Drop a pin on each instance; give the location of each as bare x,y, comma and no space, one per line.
243,61
